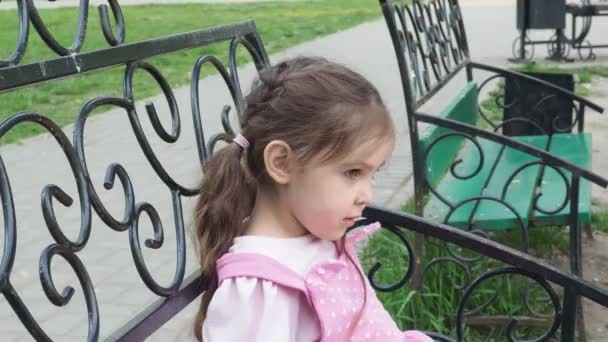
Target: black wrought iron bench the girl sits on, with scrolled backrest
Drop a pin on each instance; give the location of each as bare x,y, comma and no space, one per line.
183,288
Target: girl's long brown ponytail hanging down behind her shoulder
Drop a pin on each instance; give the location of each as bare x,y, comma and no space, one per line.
225,201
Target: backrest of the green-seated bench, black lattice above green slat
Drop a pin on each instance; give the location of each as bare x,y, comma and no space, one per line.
431,47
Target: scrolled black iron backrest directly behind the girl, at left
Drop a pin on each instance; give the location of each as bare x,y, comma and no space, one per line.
71,62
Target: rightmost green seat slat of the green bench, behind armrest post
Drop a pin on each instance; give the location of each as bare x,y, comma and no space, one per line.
575,148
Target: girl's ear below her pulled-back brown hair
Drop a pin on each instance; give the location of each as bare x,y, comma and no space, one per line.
278,161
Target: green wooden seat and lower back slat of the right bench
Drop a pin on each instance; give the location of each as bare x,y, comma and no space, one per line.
499,165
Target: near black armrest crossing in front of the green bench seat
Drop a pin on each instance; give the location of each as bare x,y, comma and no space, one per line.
546,157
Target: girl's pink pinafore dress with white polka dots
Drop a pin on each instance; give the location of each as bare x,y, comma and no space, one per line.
332,289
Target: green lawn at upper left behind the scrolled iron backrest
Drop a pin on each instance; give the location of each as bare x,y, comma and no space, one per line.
280,24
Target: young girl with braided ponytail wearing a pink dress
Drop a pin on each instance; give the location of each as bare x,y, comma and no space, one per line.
275,206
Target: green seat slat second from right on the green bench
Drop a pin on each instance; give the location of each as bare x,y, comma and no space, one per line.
493,215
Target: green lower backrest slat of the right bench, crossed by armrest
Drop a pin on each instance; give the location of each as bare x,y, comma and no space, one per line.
462,108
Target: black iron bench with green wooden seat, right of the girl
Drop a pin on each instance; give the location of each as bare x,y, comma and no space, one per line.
482,185
